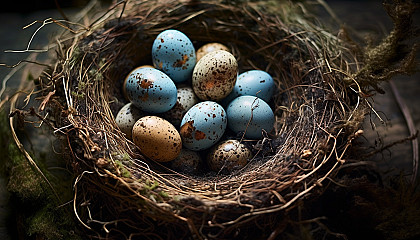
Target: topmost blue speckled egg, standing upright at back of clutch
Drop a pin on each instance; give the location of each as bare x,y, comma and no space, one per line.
174,54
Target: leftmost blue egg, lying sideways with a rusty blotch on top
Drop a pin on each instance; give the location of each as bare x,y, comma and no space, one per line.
151,90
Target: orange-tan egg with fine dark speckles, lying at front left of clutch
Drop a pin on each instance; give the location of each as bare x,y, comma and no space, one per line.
157,138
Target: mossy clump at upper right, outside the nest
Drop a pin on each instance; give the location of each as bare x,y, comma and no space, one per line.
396,53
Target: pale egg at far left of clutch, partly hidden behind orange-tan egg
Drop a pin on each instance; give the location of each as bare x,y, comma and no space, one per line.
126,117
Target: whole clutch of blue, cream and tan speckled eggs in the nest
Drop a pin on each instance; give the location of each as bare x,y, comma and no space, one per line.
184,102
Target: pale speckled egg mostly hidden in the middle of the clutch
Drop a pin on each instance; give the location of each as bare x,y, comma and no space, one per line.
185,100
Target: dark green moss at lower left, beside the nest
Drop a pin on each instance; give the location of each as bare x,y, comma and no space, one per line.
35,211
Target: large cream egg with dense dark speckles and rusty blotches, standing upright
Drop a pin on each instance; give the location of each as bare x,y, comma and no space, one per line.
214,76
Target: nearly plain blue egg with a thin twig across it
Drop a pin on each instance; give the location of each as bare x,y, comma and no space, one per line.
251,115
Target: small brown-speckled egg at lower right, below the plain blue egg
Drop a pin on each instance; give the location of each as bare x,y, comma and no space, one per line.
228,155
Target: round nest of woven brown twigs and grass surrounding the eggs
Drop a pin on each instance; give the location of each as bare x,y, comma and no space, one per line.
120,193
